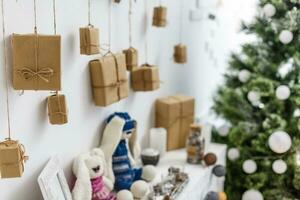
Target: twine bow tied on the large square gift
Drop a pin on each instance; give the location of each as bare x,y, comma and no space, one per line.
44,73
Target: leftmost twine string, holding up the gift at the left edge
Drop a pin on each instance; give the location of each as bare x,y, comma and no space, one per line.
6,71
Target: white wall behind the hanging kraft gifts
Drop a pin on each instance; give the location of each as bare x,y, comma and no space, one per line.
29,118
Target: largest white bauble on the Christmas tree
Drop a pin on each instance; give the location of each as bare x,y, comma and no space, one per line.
280,142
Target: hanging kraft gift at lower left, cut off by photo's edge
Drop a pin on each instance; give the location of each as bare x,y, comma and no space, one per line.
12,158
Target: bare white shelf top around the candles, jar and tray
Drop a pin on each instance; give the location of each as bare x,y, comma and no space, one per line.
201,178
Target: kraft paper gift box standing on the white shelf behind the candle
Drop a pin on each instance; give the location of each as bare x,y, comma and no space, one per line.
175,113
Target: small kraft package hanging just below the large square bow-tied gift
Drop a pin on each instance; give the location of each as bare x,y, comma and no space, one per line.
57,109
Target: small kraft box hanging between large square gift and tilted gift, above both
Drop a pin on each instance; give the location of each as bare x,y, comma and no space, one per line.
89,40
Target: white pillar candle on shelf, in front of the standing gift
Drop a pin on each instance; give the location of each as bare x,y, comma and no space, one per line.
158,140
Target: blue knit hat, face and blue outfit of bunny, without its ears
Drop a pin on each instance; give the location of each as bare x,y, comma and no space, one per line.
125,174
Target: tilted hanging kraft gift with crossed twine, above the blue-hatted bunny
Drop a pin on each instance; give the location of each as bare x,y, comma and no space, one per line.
109,79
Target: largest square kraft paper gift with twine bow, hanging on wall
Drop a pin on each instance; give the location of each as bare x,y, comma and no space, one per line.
36,62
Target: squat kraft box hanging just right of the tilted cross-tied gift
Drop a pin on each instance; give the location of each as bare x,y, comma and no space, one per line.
145,78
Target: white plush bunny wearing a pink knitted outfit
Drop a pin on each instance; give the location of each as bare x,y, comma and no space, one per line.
91,184
